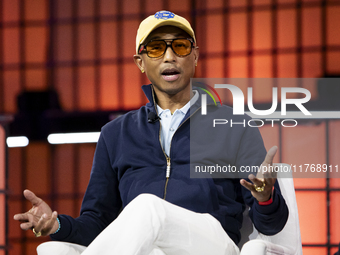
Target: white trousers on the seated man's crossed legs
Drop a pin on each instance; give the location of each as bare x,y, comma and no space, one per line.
150,225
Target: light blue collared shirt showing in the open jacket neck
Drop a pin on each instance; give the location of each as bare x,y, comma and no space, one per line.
170,122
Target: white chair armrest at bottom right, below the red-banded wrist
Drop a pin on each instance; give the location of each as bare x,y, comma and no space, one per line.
261,247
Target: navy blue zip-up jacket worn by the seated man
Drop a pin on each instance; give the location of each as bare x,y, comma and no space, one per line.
129,160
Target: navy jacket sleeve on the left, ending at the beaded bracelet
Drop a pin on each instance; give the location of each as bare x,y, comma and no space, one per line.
101,203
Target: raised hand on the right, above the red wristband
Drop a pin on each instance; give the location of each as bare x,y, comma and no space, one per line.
262,185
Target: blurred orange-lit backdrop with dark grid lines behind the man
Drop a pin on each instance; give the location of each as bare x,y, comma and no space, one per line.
83,49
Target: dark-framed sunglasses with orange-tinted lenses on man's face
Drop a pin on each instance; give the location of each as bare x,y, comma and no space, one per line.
156,48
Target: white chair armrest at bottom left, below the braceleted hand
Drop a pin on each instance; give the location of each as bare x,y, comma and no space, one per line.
59,248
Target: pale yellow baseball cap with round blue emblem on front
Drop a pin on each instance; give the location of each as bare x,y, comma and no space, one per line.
161,18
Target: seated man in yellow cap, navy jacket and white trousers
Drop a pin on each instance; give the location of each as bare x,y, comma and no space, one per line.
142,164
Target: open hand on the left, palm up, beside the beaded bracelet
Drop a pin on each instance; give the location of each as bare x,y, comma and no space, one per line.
40,216
